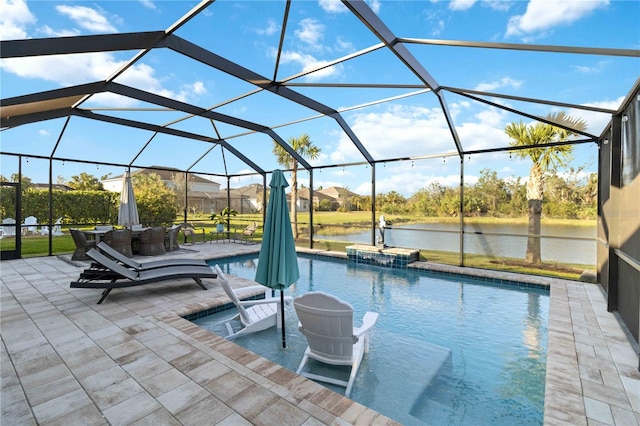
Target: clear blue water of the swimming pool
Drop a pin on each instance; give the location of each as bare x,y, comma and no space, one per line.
444,350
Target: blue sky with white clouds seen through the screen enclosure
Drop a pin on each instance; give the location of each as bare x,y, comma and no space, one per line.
410,124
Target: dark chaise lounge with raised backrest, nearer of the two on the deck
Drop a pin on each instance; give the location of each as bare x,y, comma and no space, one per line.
116,275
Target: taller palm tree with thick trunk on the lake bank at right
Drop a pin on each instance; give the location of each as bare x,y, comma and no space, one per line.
544,159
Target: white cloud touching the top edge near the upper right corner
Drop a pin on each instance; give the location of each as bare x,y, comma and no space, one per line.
543,15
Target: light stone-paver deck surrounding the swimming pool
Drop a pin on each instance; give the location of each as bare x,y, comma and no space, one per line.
133,360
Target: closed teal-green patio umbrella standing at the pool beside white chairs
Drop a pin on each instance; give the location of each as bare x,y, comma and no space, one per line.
278,261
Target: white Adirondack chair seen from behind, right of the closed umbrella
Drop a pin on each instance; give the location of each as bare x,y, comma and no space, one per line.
327,323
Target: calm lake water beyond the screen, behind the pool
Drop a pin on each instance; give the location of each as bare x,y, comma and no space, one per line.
560,243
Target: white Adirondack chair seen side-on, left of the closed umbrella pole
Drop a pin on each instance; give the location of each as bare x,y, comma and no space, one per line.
254,315
